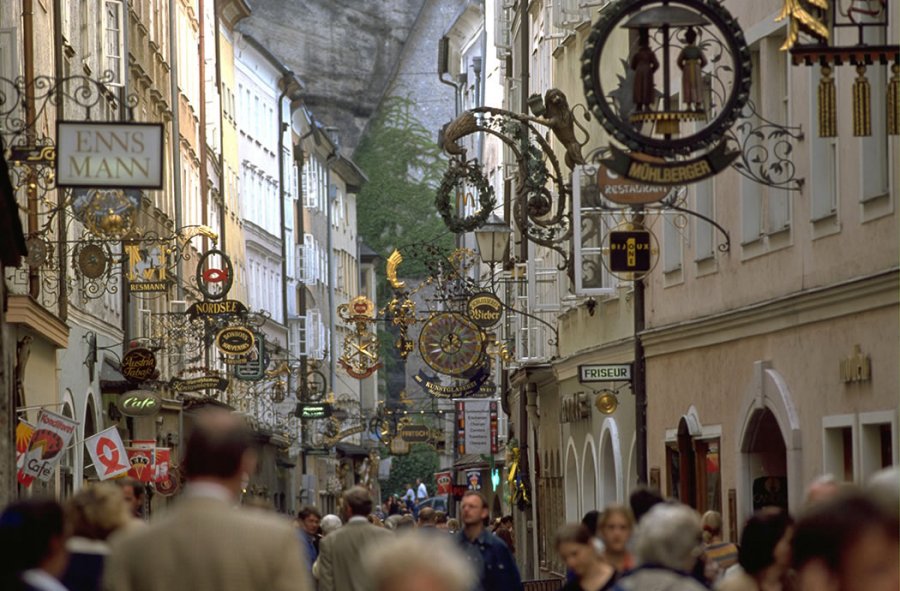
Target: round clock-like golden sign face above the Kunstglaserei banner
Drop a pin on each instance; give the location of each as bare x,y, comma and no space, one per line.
450,343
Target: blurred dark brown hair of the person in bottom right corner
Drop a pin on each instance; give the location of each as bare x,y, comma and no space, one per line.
827,529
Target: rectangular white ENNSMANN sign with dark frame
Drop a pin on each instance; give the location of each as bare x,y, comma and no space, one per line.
115,155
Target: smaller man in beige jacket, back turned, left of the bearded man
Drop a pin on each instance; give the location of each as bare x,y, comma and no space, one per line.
341,553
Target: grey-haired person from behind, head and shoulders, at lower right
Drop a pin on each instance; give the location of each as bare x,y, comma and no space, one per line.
669,541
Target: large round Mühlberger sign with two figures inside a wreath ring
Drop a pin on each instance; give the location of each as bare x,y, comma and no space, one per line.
677,110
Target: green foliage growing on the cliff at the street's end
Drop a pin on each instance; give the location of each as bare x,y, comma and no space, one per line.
404,165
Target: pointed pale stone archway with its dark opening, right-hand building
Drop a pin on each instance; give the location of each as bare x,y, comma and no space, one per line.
770,451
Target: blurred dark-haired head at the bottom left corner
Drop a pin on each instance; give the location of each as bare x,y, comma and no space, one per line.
27,529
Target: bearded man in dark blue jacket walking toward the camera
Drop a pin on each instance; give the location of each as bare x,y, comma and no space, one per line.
489,556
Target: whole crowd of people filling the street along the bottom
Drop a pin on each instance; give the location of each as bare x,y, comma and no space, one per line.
844,539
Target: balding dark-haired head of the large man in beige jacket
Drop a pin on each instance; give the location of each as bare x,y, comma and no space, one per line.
216,445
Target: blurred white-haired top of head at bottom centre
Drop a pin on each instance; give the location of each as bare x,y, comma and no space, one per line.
418,562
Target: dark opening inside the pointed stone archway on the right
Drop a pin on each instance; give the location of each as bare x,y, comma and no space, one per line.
766,460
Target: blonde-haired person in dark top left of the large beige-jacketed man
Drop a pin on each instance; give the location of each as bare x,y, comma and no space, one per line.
94,513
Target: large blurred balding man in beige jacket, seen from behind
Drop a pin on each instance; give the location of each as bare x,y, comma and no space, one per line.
206,543
